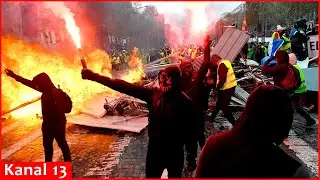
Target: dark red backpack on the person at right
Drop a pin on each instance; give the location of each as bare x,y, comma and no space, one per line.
292,80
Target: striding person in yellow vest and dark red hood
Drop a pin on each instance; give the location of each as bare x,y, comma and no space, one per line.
225,85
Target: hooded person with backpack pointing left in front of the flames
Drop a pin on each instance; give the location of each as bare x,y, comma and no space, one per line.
54,103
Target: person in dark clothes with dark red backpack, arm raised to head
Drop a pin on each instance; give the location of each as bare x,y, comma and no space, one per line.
287,77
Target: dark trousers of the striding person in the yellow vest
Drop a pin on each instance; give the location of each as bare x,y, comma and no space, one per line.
224,98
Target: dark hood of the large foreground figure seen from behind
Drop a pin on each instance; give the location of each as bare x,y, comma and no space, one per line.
268,115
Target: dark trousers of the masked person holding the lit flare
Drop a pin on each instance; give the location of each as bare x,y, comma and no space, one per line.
162,156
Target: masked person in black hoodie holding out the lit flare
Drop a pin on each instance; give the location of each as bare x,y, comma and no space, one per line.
170,119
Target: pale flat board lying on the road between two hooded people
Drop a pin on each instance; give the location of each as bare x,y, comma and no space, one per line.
133,125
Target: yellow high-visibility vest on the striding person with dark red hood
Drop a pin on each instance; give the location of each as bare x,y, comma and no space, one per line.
231,78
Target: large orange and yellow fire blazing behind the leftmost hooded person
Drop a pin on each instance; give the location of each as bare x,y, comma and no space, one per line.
29,60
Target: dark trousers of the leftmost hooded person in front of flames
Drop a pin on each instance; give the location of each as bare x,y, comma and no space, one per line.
49,133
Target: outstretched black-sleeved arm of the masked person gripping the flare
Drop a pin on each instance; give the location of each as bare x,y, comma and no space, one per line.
136,91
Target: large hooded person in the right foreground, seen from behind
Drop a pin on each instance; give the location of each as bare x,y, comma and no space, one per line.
250,149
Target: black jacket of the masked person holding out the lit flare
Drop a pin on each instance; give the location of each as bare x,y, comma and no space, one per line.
170,115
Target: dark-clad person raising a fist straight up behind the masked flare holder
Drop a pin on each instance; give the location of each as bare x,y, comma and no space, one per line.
193,85
